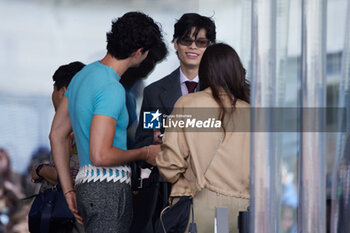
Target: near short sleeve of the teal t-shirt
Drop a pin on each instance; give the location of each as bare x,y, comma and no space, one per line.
110,100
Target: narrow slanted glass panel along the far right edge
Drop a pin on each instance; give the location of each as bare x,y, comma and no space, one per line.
341,170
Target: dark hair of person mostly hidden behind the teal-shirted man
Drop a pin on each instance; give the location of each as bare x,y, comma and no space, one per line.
64,74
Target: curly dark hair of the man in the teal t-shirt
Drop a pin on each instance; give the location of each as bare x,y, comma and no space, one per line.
130,32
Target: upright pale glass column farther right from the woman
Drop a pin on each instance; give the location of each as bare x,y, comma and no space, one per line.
313,94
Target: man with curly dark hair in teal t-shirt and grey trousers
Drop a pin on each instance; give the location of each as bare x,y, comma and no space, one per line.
94,107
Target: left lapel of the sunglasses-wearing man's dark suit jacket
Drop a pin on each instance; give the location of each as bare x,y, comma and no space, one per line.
171,91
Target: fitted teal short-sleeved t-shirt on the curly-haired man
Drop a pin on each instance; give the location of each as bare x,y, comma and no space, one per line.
96,90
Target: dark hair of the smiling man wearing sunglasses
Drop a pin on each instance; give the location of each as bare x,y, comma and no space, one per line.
184,25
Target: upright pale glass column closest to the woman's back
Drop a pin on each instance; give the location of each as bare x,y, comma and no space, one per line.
264,167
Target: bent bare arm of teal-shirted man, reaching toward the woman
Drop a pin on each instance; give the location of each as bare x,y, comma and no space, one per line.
103,153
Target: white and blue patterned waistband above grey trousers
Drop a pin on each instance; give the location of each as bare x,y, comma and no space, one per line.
90,173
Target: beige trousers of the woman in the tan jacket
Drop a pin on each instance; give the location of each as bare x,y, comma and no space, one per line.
204,204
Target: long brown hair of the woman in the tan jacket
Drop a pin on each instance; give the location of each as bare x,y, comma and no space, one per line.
221,70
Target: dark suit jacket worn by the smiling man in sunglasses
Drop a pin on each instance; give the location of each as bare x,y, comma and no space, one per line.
161,95
